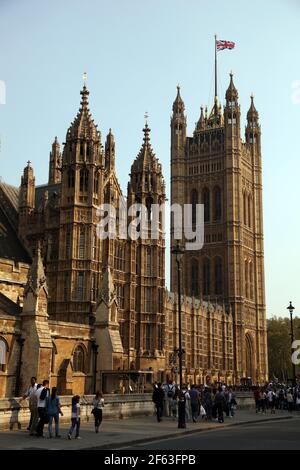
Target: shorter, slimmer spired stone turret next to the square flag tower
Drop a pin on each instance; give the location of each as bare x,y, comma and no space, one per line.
147,190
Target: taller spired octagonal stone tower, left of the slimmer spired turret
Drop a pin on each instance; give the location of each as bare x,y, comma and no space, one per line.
76,270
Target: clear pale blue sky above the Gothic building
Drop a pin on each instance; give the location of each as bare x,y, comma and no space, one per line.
135,52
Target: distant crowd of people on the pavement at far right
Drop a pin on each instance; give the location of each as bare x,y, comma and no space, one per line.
274,397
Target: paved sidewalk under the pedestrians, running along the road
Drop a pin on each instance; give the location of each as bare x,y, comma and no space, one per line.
126,433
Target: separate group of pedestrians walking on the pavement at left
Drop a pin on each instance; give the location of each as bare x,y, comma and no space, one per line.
45,408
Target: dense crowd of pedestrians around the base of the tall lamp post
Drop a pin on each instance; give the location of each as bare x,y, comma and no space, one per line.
200,402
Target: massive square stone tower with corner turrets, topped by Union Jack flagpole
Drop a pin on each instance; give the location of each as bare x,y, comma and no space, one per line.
217,168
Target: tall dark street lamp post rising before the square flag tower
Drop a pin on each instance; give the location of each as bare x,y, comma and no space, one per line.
178,251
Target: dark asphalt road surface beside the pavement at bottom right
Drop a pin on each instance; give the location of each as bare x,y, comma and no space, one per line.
278,435
